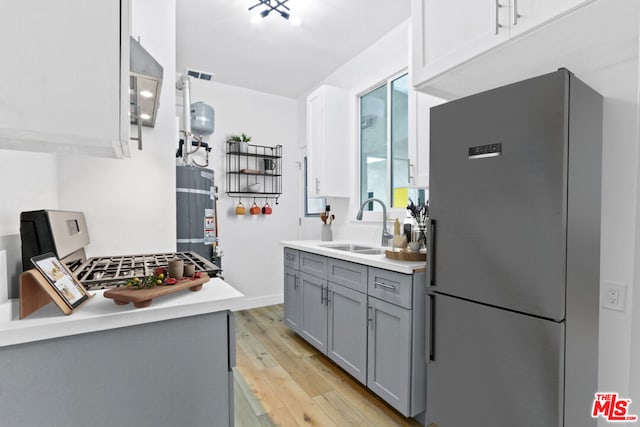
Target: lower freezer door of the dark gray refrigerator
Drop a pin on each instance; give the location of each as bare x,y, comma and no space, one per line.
493,367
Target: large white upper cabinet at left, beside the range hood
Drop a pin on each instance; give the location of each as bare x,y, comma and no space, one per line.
64,85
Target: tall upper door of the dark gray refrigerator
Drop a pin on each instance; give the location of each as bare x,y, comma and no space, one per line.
499,210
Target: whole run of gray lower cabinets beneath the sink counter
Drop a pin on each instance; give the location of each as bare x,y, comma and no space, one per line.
369,321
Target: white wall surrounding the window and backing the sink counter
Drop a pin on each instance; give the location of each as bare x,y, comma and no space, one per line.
386,57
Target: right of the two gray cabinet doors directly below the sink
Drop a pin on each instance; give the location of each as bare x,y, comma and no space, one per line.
347,334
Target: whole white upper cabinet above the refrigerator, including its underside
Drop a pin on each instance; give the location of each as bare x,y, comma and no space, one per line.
465,46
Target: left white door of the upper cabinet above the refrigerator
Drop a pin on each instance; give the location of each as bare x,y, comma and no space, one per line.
447,33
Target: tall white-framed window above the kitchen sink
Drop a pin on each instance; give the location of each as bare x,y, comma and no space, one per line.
384,145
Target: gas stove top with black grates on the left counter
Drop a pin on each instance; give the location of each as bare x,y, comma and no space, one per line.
113,271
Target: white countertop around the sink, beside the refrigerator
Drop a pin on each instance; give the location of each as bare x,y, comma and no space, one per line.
380,261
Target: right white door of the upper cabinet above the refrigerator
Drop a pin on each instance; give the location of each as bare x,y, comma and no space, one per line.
526,14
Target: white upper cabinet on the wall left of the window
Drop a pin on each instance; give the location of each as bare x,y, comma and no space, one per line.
328,144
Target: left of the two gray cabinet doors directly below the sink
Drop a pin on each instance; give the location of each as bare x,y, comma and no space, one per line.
313,311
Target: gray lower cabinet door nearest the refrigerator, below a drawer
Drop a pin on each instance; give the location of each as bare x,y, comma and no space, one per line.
389,370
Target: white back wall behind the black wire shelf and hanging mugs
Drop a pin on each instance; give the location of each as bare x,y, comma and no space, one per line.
252,260
